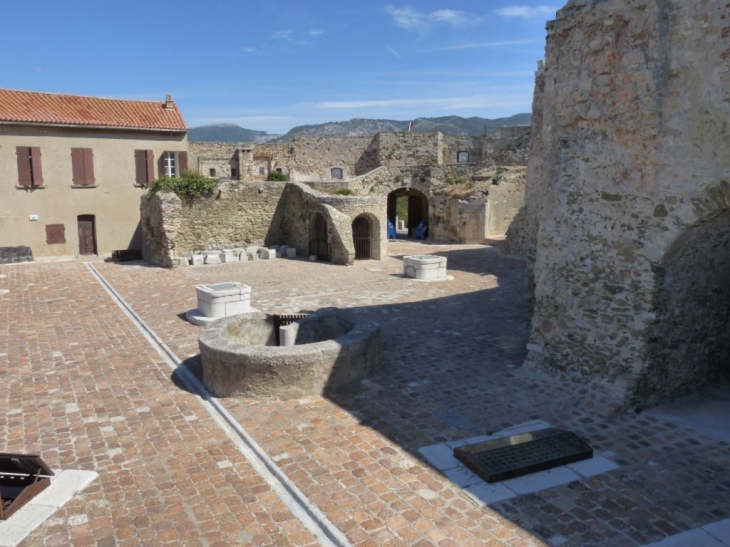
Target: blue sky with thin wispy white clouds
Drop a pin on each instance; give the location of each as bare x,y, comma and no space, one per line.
274,64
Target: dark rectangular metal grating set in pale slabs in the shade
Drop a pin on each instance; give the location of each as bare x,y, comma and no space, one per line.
522,454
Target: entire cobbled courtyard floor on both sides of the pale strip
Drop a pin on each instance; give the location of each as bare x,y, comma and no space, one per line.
452,352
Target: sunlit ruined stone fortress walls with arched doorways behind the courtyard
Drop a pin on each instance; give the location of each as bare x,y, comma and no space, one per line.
463,205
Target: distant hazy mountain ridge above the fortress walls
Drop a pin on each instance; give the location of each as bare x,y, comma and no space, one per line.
449,125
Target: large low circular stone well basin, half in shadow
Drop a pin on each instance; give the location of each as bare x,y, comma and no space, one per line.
240,356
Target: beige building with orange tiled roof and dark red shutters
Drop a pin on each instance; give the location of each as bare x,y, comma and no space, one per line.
74,169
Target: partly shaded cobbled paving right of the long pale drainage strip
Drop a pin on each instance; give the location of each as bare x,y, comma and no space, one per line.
451,371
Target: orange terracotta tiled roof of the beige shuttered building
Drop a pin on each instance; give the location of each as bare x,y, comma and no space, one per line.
58,109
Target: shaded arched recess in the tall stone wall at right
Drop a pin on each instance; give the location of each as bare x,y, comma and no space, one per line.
690,344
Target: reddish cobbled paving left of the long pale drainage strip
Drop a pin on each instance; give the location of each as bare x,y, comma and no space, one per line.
83,388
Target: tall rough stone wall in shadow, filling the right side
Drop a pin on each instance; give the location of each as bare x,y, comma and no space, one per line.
627,216
